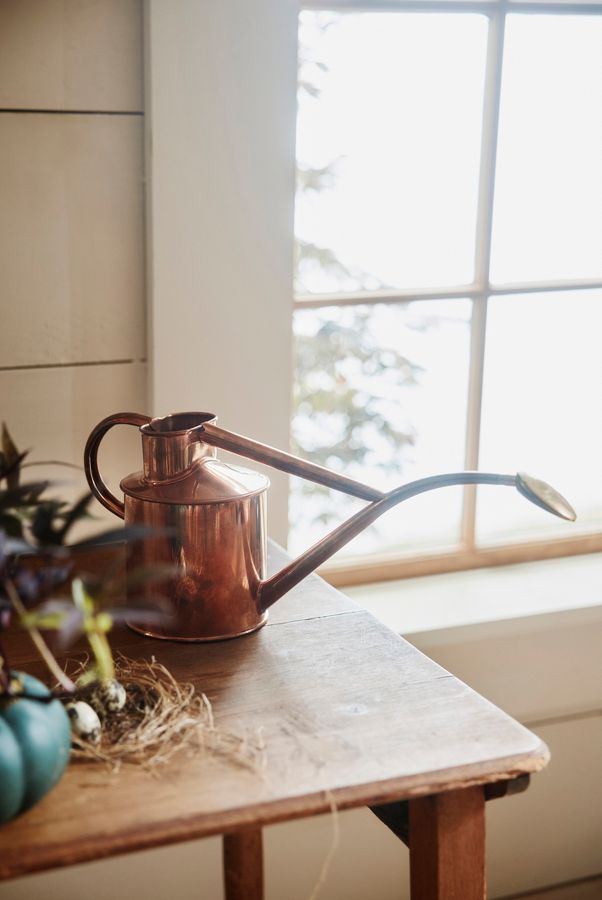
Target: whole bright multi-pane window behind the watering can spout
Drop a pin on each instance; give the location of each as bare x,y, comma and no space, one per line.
448,310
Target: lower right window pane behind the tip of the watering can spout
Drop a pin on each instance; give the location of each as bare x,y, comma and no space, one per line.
542,410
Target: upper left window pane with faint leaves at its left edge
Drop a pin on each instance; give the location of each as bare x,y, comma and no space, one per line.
388,143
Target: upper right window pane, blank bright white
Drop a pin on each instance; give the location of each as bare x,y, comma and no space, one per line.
548,193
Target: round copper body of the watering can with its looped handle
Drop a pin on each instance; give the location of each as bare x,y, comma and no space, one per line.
206,519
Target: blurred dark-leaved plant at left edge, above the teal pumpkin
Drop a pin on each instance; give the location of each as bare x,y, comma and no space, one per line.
35,563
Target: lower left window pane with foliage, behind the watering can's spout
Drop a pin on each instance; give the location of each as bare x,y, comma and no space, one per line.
381,396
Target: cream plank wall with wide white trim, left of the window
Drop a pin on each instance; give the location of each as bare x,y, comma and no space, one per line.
219,168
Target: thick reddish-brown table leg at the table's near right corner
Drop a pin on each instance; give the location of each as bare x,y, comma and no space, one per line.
447,846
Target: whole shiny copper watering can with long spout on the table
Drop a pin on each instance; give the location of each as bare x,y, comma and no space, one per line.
210,518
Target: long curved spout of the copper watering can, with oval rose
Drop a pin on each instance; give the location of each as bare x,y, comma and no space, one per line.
538,492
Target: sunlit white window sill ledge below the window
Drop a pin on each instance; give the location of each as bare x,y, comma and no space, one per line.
458,599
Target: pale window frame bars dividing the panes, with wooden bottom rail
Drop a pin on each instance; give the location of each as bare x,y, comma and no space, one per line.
466,555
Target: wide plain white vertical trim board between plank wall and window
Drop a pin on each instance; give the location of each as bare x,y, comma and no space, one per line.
221,170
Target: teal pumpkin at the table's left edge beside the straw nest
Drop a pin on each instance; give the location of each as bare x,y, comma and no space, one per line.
35,740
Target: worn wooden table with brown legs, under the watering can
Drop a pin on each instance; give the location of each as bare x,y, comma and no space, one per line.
351,715
